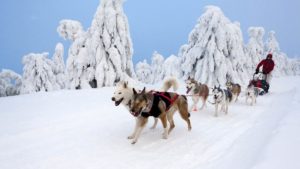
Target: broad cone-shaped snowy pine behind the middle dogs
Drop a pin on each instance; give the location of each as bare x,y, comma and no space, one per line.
215,49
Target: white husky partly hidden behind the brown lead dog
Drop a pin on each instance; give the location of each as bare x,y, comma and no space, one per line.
123,94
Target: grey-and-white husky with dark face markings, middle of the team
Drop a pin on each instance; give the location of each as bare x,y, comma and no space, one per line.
221,97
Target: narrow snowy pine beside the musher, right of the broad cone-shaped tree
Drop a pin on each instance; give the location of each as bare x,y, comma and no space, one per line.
255,46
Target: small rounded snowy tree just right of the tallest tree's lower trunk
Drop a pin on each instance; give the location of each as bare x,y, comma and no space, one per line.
144,72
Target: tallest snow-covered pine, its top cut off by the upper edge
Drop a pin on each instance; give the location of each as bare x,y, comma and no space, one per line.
111,43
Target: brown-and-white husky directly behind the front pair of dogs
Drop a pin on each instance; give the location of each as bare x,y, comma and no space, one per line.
197,90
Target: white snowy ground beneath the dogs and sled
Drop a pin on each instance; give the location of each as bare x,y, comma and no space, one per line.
84,130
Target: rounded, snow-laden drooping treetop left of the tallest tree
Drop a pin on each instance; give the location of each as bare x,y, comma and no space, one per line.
70,29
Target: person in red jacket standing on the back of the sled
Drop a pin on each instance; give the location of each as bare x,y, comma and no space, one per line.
267,67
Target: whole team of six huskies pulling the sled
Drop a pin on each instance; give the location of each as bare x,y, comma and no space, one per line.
162,105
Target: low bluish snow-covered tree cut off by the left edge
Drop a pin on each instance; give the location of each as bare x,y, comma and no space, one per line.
10,83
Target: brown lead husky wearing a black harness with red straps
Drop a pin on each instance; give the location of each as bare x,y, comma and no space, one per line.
160,105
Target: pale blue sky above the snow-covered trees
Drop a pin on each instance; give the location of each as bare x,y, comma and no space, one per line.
162,25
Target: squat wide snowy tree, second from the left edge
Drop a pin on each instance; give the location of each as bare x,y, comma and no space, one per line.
38,74
